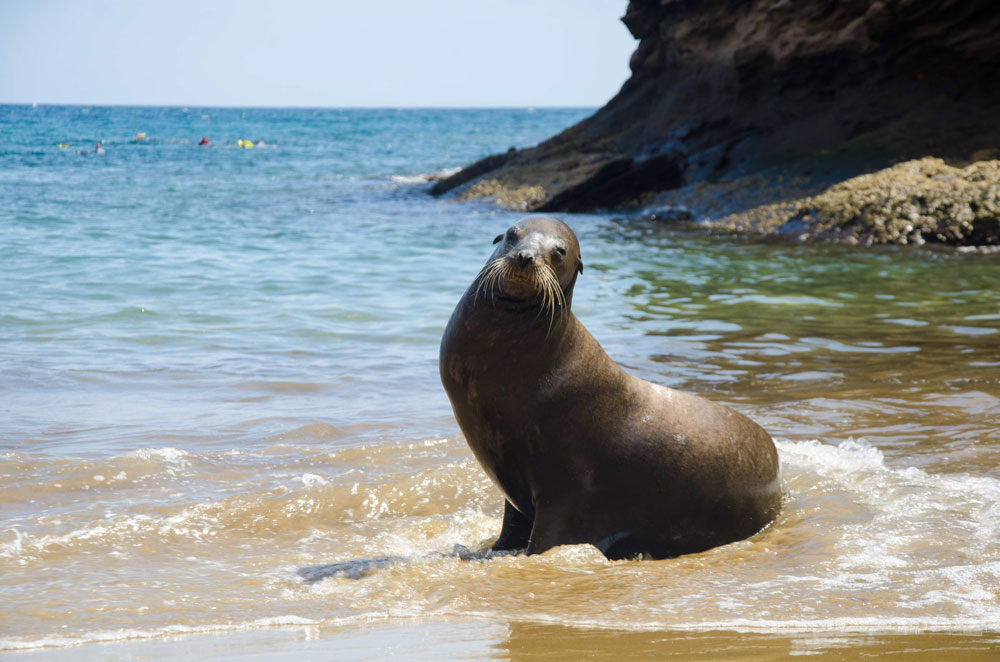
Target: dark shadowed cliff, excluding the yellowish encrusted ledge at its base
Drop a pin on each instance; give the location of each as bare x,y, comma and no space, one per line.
722,90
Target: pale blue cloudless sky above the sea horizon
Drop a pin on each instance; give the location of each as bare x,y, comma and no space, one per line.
313,53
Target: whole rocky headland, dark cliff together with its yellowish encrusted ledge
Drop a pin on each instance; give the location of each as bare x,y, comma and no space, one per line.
849,100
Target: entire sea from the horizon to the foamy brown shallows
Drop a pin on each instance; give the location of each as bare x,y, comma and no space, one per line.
220,367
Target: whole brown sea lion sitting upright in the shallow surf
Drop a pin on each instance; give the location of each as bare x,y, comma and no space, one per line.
583,451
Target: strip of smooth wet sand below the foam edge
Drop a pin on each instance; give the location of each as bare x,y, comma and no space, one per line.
473,640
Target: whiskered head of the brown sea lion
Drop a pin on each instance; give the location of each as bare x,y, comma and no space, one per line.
536,259
